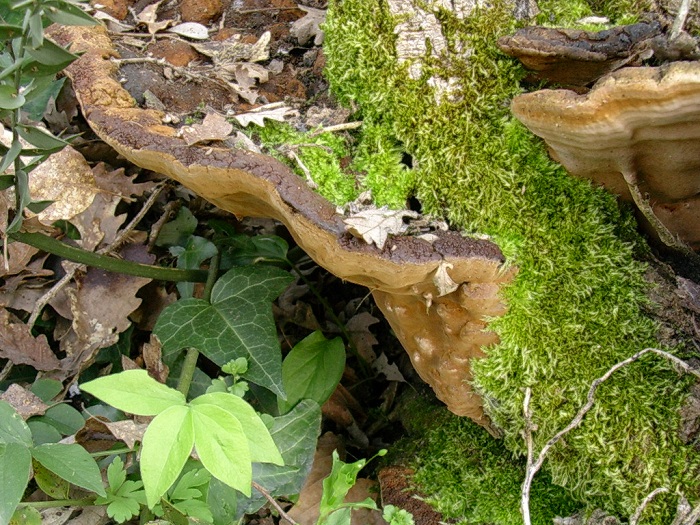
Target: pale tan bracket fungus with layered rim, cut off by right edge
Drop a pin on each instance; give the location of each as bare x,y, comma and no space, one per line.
637,132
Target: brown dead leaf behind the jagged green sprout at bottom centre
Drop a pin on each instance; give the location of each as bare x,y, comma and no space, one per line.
306,510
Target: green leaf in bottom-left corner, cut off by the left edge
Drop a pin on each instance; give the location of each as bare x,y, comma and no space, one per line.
15,467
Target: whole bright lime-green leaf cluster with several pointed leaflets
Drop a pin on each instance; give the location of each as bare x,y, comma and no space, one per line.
226,431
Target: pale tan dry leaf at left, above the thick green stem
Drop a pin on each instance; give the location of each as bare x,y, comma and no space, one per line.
66,179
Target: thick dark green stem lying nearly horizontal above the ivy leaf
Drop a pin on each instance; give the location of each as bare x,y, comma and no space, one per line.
104,262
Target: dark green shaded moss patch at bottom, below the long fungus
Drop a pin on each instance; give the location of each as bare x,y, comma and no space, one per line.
469,476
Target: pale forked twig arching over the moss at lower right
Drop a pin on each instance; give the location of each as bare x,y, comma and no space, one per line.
533,467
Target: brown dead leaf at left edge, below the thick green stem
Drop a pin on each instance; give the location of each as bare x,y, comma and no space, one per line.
19,345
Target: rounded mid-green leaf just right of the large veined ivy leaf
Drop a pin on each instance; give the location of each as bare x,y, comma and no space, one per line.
312,370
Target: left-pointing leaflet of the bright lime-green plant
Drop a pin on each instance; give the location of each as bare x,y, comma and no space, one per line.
134,391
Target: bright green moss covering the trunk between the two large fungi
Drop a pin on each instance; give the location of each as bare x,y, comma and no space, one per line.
435,81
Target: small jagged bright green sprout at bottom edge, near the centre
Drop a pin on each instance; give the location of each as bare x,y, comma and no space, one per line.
343,476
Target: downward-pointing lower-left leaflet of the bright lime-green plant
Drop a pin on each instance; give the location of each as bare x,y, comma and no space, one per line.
167,444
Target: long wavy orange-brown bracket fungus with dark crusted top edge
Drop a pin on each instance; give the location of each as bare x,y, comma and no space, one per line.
441,334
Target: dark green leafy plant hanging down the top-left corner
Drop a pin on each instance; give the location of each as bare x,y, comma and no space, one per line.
29,65
